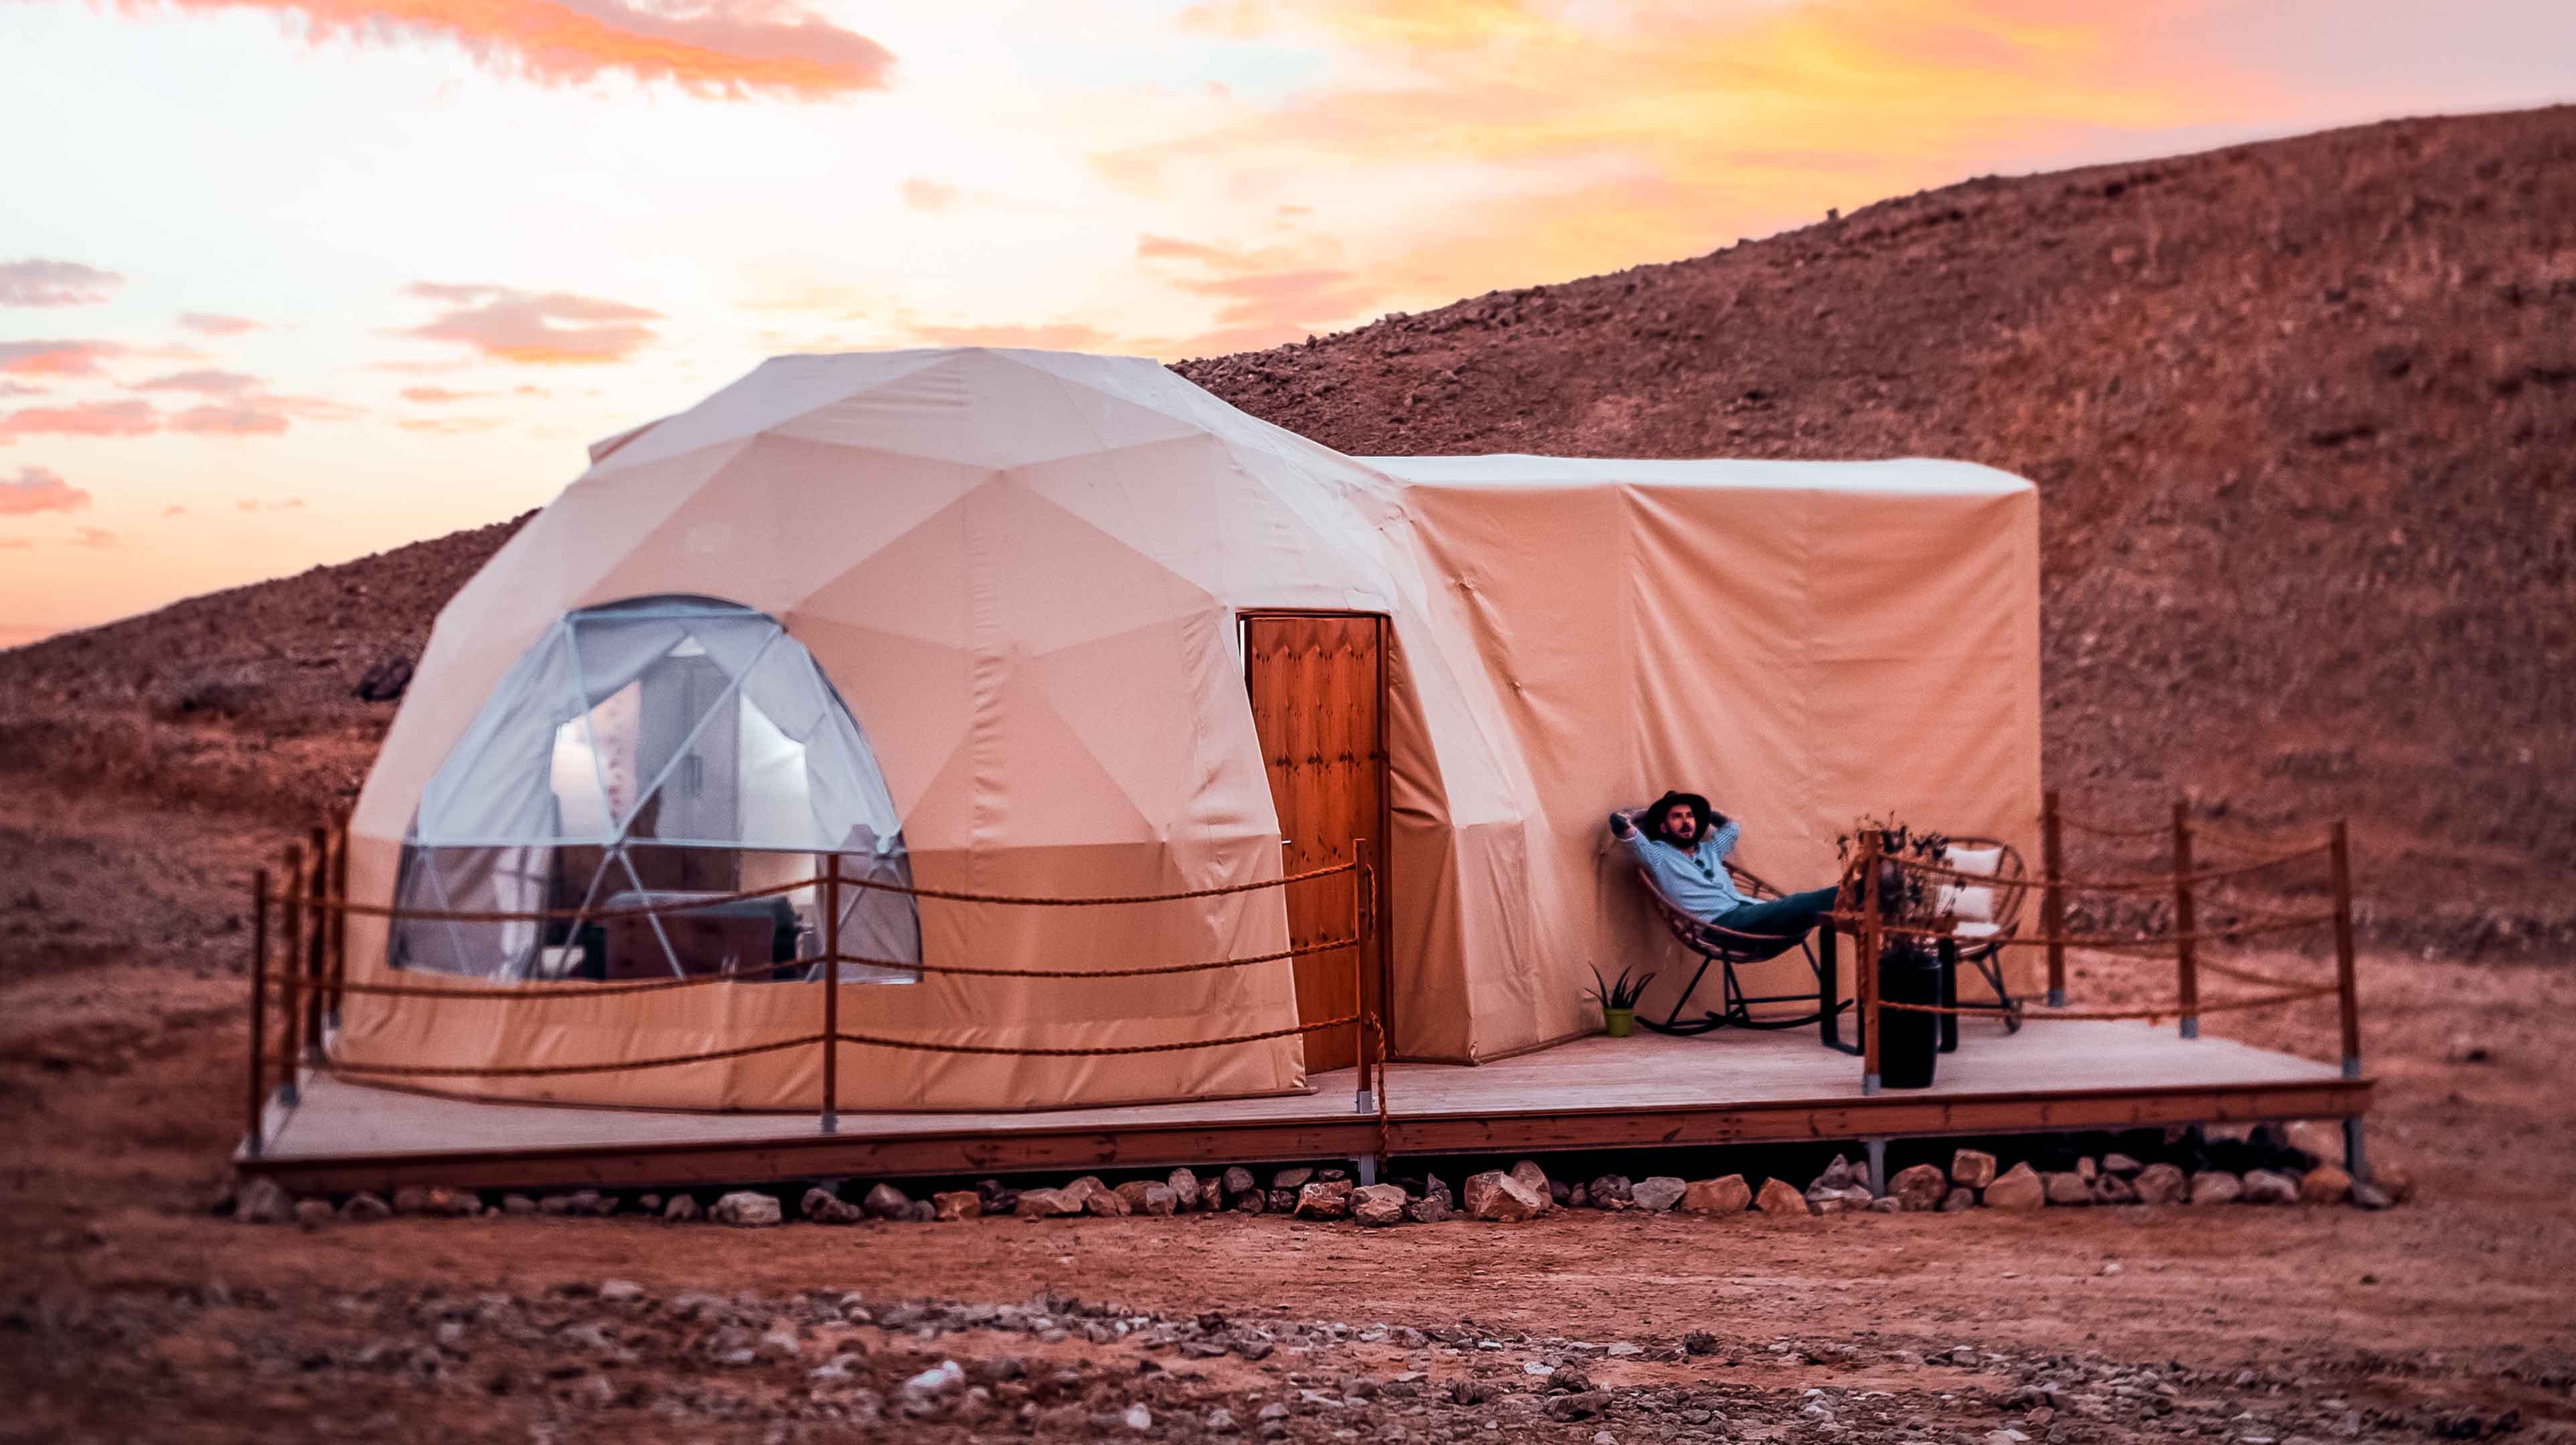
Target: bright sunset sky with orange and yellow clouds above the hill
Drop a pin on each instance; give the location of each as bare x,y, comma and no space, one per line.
285,282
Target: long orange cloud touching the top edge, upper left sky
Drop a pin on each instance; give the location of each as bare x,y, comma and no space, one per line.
710,48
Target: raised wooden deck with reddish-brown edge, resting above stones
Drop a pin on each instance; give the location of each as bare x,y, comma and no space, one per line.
1593,1093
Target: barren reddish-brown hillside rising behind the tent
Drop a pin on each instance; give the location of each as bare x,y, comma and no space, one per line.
2304,419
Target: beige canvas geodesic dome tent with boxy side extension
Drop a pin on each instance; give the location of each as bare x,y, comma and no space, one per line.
1057,625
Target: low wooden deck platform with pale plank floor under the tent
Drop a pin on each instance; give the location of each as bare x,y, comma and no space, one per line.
1588,1091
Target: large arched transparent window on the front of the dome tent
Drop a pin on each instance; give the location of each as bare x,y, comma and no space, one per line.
668,753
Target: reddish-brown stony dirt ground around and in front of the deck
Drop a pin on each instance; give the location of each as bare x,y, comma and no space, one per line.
133,1312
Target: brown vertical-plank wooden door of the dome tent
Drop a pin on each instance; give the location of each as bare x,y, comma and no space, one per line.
1318,692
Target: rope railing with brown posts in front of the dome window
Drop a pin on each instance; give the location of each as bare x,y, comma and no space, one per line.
316,970
